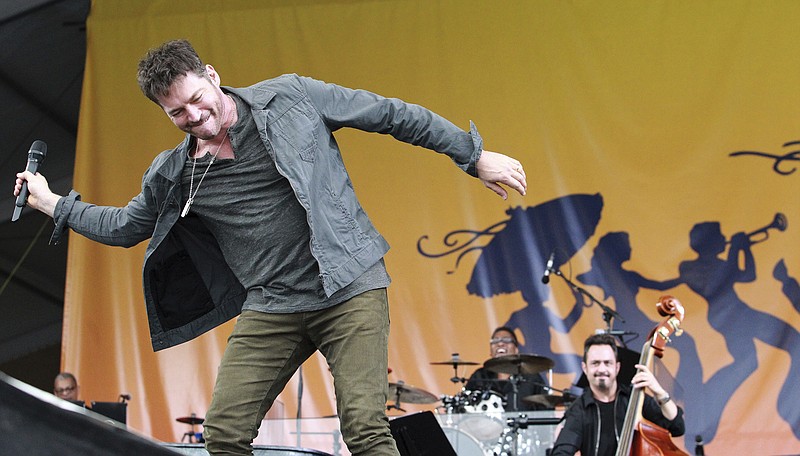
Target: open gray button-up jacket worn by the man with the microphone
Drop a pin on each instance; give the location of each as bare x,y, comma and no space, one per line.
188,287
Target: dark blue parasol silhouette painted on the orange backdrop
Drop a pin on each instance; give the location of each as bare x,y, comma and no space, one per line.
518,252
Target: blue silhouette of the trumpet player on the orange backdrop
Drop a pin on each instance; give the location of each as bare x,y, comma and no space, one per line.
714,278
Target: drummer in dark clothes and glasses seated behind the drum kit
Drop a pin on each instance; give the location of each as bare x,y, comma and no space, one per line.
504,342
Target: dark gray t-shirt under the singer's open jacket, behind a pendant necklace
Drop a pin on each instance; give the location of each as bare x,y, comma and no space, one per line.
261,227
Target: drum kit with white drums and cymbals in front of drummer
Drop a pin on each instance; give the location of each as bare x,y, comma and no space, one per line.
476,422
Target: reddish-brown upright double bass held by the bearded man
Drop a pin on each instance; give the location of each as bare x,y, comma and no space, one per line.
640,437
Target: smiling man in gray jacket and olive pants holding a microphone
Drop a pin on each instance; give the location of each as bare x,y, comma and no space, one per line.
254,213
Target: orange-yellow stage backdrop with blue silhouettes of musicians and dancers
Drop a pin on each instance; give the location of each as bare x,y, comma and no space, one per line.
625,114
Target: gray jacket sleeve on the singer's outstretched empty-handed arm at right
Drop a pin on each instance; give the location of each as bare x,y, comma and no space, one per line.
342,107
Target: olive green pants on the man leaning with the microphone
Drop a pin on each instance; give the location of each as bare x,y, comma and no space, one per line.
265,350
